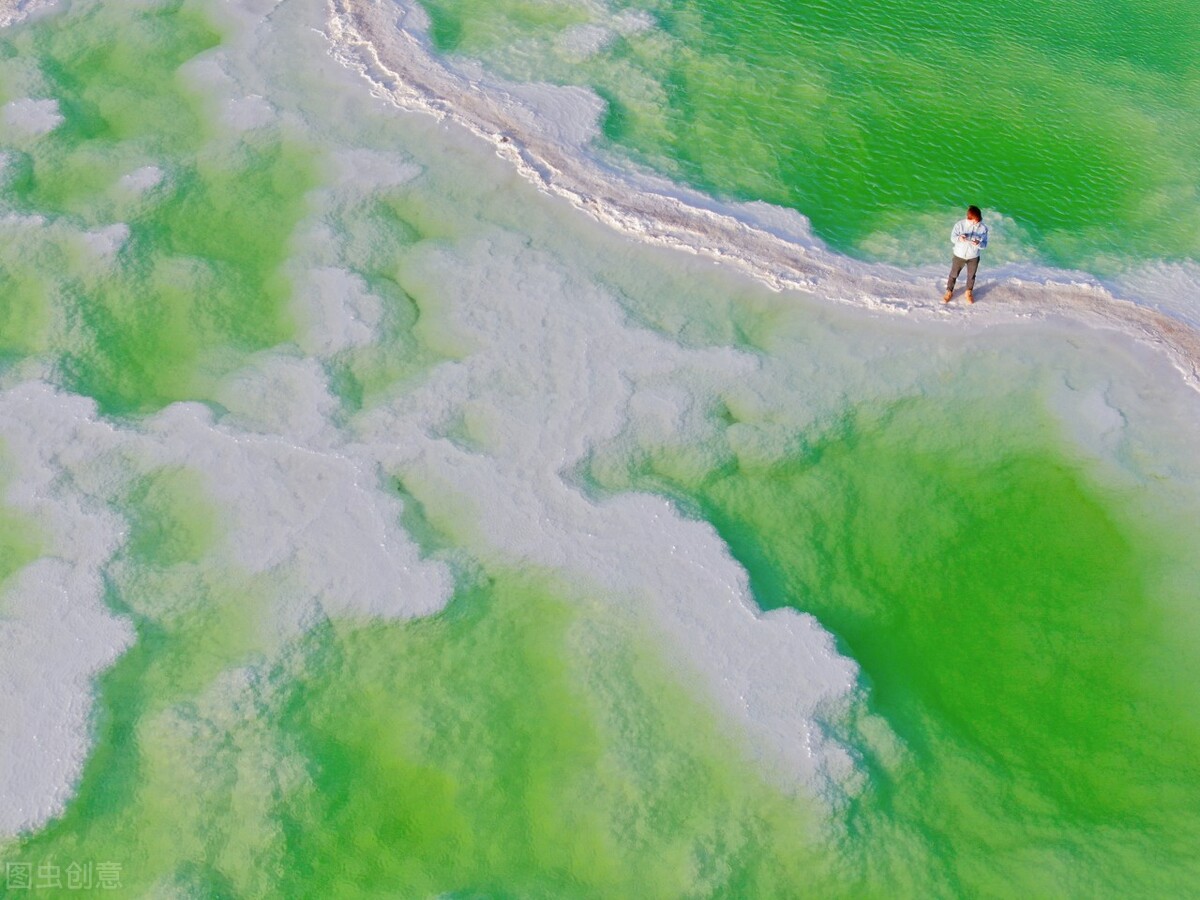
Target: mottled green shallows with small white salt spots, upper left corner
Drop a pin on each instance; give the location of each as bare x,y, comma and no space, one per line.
199,281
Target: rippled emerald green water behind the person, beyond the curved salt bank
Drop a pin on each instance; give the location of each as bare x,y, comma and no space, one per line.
881,122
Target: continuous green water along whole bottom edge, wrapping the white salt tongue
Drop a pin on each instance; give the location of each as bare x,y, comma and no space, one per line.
1023,632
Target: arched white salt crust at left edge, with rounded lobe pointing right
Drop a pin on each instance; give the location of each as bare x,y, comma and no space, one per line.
311,517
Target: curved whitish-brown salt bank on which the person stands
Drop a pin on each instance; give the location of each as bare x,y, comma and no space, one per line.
544,133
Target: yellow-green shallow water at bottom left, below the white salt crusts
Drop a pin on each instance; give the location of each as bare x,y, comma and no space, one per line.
518,745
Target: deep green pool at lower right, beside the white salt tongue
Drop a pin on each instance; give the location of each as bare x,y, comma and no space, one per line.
1013,623
